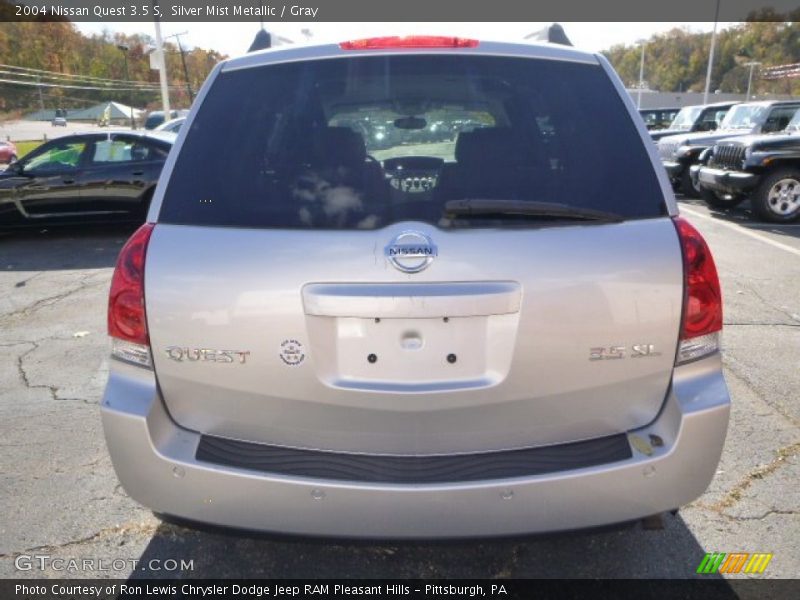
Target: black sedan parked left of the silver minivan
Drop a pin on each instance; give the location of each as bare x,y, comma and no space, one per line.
93,177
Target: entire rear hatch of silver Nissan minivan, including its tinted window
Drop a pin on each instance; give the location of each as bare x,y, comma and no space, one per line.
419,253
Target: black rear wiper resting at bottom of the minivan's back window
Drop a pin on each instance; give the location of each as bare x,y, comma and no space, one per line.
487,207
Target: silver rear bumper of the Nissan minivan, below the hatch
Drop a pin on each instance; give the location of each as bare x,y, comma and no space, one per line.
155,461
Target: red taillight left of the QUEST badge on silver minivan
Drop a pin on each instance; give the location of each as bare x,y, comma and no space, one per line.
127,323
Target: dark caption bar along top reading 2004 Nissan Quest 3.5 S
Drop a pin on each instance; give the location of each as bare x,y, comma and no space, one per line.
399,11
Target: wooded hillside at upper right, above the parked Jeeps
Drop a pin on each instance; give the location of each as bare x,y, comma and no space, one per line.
676,61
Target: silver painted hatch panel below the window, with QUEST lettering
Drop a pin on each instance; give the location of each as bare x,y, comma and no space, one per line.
414,401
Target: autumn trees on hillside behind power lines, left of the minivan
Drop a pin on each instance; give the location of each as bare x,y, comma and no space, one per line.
60,47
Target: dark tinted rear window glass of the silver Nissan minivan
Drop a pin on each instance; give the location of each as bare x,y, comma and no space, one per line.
360,143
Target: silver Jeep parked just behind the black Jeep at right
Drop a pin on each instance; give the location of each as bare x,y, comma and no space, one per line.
679,152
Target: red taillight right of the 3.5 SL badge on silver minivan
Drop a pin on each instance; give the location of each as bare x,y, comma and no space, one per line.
702,302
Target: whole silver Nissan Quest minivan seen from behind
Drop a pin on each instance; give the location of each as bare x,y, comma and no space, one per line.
415,297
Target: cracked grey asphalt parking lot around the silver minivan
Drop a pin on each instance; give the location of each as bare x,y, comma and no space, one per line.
60,496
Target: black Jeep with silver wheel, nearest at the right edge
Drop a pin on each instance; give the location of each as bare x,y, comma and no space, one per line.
763,168
